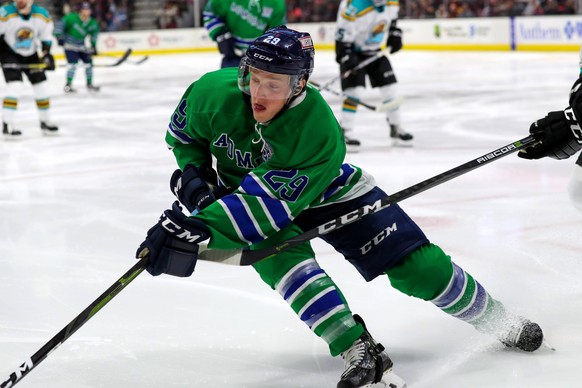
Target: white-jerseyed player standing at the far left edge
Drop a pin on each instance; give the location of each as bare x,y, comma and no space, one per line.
25,28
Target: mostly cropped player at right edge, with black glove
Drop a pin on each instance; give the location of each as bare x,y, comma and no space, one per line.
560,136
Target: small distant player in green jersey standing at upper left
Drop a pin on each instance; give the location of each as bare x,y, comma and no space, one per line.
72,32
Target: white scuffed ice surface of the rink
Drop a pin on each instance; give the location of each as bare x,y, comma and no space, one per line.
75,207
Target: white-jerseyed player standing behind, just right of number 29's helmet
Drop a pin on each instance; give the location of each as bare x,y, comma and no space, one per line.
361,29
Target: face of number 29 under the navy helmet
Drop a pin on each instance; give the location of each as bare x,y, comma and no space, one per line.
269,93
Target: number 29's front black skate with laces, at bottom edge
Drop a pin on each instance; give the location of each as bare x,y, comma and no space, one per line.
366,362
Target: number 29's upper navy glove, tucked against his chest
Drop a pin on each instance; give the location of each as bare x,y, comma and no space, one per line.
191,187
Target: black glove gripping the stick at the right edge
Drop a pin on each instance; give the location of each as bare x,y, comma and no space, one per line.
558,134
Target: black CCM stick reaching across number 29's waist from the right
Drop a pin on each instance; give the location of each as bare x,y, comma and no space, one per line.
248,257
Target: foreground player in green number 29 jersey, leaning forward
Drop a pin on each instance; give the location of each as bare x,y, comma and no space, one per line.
279,155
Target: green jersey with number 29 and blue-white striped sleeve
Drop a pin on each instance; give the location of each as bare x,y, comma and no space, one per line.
277,170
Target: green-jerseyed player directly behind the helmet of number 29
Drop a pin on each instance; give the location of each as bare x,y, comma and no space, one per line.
234,24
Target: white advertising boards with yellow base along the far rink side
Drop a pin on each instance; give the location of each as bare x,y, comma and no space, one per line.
548,33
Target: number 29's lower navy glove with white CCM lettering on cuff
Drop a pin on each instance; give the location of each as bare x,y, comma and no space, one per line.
172,244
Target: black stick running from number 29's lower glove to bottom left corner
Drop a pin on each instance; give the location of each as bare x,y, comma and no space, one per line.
32,362
